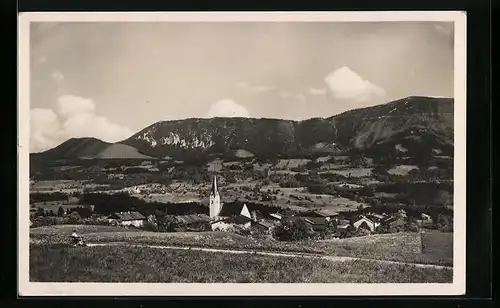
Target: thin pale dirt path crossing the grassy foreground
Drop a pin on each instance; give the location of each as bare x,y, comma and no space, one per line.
275,254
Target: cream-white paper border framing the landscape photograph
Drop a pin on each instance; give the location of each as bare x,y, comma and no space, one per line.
27,288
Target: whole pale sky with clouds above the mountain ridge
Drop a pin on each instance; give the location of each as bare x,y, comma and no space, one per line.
111,79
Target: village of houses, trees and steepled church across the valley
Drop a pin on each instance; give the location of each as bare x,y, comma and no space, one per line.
240,218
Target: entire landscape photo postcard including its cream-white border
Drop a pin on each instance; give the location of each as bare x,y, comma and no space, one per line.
294,153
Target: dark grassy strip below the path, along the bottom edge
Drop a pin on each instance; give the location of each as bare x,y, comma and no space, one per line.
59,263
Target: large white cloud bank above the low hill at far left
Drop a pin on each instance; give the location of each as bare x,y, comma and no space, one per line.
74,117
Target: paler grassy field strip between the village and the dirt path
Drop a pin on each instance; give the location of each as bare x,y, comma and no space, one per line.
403,247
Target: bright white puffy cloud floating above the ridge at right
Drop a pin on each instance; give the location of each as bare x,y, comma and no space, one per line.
344,84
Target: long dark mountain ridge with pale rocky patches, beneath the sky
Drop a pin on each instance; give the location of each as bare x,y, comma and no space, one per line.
413,126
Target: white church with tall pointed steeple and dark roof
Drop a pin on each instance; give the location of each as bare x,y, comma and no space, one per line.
224,217
